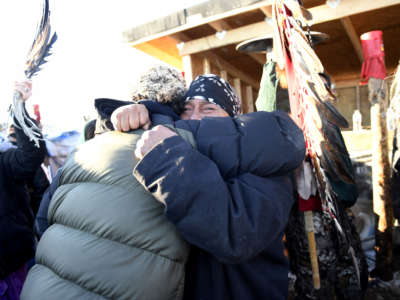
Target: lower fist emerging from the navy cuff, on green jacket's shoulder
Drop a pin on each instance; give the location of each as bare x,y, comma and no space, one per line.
151,138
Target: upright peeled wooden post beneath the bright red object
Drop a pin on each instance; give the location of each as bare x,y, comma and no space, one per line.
382,201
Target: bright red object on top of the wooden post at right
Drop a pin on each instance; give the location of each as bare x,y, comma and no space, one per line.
374,56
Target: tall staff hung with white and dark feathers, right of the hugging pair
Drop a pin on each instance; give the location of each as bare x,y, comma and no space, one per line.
312,109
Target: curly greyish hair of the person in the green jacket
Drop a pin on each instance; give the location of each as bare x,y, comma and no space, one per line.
162,84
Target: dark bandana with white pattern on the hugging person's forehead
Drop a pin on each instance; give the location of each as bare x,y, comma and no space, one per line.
216,90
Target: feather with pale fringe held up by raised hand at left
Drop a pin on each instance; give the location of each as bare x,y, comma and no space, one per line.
39,50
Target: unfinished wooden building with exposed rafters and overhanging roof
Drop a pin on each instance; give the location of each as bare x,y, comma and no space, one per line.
202,39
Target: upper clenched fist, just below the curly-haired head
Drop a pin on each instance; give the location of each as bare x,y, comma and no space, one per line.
130,117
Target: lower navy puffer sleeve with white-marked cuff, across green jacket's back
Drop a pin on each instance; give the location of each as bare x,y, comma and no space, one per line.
233,219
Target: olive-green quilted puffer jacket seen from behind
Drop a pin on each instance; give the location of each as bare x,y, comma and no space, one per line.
108,237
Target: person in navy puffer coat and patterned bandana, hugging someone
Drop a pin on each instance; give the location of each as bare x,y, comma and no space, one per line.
232,213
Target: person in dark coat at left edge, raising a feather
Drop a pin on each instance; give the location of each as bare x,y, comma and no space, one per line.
17,164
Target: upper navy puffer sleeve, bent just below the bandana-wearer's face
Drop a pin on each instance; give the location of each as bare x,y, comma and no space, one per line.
261,143
